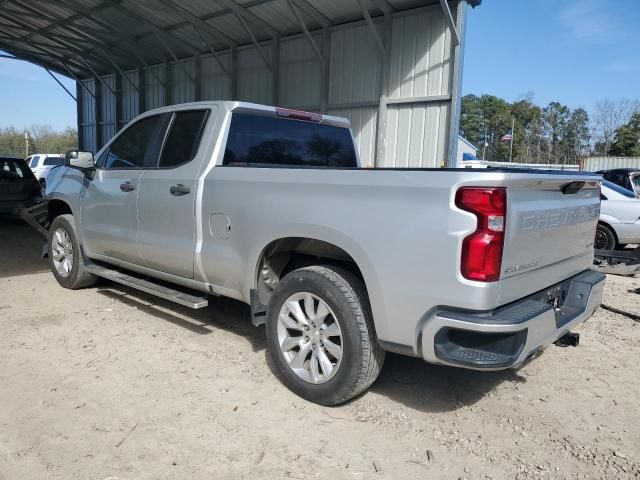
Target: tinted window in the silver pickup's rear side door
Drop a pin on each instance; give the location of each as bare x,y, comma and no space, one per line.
184,138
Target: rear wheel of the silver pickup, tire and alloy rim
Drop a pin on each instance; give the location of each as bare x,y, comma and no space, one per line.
320,335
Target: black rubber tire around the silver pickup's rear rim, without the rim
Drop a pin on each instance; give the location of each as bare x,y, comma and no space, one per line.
362,356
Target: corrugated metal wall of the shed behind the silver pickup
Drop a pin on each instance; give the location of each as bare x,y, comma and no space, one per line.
399,102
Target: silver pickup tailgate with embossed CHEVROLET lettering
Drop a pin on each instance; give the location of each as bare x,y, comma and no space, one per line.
550,229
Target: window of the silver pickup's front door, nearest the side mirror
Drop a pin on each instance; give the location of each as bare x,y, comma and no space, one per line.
131,147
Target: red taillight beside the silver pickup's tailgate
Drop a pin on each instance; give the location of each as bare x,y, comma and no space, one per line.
482,250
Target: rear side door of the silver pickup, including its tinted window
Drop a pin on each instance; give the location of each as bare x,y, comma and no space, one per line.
168,193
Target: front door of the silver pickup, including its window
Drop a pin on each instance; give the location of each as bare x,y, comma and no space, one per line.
109,215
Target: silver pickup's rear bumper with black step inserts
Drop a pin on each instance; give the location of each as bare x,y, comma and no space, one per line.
508,336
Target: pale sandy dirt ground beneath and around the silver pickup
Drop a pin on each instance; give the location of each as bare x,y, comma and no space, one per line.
109,383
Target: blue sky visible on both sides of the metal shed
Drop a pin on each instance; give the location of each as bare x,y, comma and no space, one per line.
573,51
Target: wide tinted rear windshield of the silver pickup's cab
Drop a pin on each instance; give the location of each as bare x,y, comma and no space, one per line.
270,141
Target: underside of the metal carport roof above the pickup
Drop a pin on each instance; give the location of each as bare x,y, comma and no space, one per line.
87,37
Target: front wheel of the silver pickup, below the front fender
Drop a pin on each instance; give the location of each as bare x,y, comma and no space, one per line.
65,257
